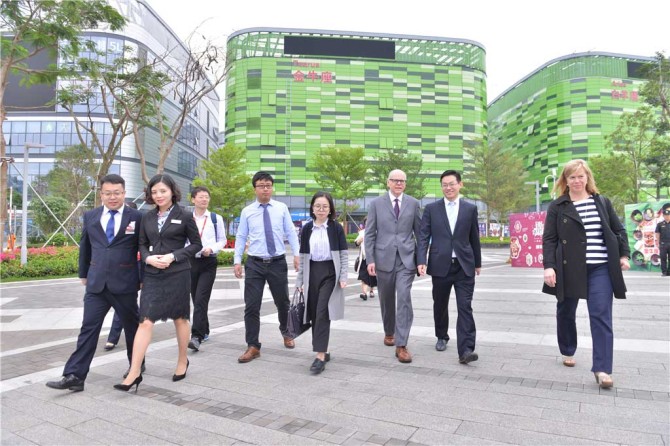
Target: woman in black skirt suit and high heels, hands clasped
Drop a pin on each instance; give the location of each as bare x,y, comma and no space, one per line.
167,276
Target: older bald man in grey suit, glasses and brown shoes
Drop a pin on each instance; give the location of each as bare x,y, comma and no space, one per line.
390,244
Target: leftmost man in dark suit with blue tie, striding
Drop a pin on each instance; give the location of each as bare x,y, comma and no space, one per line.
108,268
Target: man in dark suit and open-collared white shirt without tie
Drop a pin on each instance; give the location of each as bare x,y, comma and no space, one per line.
450,229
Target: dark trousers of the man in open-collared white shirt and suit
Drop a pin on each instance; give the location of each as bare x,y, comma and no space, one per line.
464,286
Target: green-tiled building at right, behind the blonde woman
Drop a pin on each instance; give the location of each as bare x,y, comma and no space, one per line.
565,110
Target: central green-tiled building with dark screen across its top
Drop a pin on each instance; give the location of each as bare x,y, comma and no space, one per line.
292,92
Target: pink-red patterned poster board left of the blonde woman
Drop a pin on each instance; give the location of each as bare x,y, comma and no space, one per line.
525,242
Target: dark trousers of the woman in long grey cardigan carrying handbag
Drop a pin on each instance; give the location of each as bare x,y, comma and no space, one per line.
321,286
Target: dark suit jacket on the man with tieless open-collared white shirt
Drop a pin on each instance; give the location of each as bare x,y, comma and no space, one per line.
436,233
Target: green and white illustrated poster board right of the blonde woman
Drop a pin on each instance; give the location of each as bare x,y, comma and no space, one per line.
641,220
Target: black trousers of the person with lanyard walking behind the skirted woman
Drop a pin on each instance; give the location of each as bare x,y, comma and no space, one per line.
203,274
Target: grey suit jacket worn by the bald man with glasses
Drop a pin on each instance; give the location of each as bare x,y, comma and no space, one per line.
385,236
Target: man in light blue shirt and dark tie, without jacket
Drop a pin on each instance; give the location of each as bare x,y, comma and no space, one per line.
265,224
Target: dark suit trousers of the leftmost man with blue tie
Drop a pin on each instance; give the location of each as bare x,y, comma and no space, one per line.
96,307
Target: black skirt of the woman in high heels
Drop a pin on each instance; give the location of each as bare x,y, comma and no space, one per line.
166,296
